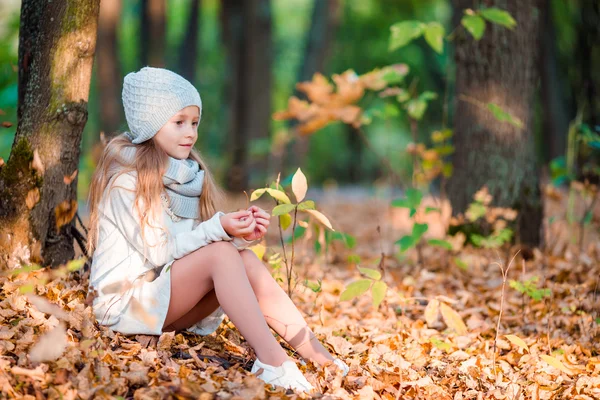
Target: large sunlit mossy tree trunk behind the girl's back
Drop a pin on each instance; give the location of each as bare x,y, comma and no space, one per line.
57,41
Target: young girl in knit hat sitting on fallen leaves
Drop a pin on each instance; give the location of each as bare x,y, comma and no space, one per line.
163,258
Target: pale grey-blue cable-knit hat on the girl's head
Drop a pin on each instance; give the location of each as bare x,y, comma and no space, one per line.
151,97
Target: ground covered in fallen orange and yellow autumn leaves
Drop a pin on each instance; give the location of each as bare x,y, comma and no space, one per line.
414,346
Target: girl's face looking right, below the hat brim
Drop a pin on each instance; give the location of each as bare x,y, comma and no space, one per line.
178,135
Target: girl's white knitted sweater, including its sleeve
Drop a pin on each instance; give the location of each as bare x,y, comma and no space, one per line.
133,292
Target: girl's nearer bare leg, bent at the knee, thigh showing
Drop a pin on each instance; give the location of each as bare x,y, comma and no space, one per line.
219,266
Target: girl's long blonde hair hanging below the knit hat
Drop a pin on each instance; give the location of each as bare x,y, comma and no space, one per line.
150,164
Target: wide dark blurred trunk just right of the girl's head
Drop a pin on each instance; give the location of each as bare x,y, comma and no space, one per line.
247,36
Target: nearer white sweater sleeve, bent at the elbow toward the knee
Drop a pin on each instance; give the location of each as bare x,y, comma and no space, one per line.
161,247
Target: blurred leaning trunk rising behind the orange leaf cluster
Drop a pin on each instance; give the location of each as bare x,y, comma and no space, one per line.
324,22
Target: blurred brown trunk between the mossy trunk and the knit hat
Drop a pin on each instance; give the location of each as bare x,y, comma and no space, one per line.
108,68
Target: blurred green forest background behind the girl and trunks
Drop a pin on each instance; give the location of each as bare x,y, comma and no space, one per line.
257,53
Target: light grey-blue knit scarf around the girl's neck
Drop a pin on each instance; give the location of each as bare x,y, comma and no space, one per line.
183,181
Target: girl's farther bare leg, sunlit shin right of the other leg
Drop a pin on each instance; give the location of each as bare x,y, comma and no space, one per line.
281,313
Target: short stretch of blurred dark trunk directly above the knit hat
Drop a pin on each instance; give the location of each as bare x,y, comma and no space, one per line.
153,33
